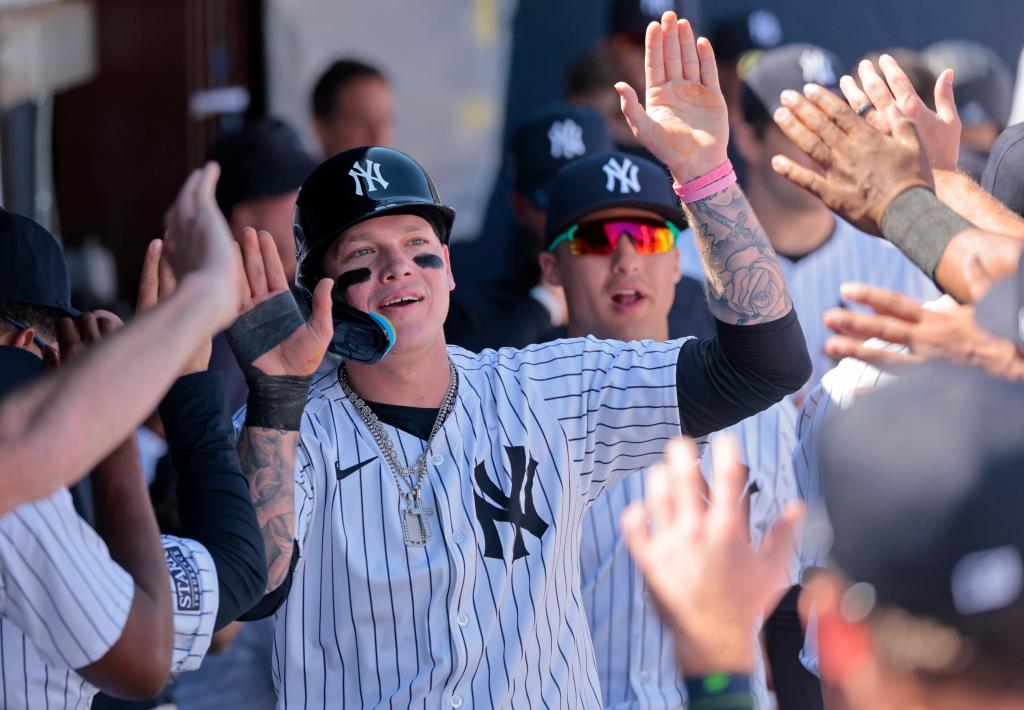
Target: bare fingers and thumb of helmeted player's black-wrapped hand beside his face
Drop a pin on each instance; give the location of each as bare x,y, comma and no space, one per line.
265,279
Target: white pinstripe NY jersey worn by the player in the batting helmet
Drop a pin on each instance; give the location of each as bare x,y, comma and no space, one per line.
489,612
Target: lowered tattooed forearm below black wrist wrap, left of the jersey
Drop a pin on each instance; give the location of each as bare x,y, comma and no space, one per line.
268,458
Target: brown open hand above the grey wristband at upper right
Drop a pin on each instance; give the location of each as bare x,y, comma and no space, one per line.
863,170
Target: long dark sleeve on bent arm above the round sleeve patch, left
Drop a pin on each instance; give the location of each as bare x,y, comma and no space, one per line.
214,496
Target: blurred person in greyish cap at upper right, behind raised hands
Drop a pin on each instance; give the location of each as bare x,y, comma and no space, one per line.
984,86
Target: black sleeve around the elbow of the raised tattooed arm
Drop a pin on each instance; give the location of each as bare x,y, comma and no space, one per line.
741,372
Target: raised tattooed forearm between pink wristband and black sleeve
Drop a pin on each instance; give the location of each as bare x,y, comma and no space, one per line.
745,282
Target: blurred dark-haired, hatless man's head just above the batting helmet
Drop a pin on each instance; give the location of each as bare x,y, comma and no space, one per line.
353,106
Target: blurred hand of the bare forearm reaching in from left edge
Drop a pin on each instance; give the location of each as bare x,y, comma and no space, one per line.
199,242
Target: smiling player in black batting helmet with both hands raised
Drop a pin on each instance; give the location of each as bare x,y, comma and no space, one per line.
422,514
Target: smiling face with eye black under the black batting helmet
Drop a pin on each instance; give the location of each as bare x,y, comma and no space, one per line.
414,298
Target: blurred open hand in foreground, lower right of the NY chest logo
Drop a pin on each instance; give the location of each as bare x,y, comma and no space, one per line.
711,588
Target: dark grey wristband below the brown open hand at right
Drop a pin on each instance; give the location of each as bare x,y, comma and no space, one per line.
921,227
